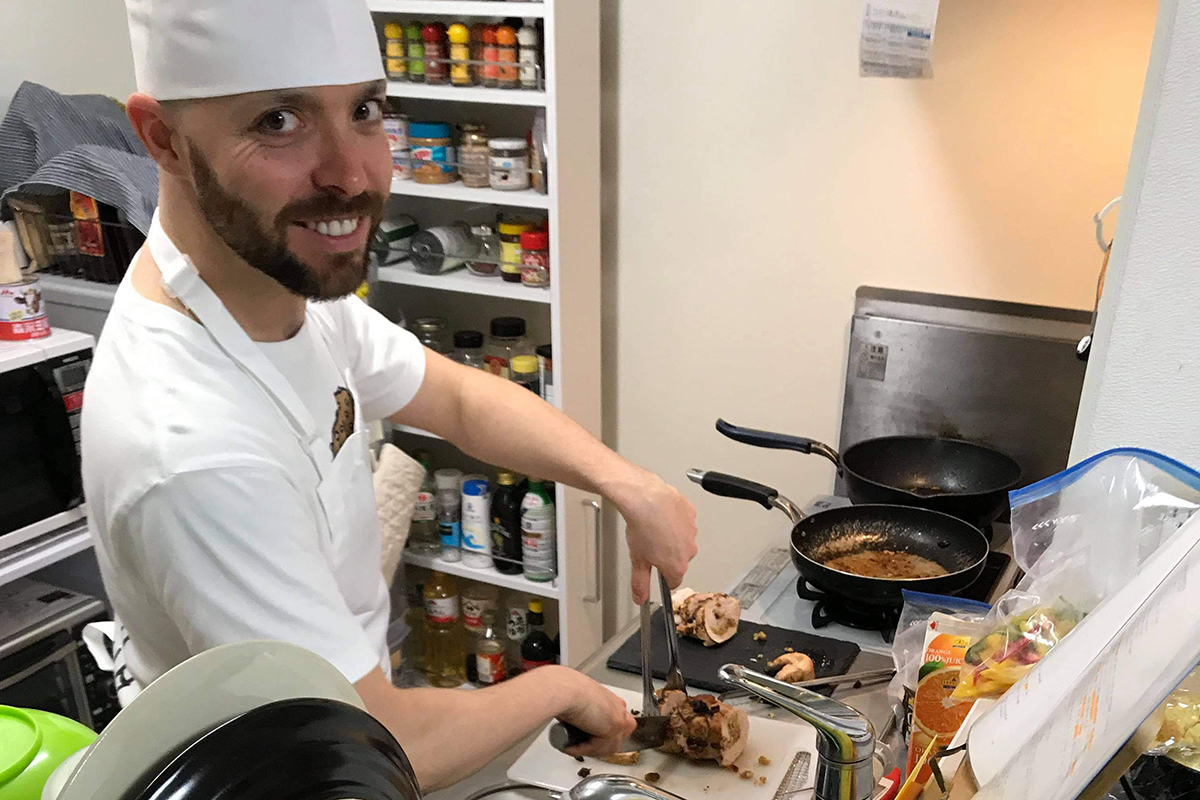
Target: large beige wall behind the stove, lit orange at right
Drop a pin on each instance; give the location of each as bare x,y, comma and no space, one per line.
754,182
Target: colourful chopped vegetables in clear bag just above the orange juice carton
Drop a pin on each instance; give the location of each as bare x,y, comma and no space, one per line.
1022,630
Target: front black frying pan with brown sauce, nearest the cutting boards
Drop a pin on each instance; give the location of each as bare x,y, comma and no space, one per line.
959,548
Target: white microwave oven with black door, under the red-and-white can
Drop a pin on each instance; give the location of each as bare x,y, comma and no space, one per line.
41,400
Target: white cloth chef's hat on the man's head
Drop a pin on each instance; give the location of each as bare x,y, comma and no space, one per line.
212,49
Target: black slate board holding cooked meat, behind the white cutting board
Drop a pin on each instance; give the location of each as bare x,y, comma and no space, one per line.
700,664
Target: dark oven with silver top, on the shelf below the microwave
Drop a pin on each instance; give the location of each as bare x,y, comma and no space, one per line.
44,661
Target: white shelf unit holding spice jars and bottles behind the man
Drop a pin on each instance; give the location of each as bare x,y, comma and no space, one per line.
572,103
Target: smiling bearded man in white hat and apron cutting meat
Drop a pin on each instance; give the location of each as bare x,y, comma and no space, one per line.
229,503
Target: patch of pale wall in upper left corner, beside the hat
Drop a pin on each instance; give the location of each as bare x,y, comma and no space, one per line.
71,46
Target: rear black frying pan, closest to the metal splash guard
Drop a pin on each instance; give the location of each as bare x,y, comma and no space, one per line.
958,478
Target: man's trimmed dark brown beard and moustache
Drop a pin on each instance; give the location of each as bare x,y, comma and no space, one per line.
237,224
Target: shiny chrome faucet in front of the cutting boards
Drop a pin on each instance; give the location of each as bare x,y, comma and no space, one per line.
845,742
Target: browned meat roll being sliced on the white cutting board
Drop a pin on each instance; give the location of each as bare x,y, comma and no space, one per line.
704,729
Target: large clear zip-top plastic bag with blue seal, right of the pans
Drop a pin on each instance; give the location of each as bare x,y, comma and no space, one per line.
1079,536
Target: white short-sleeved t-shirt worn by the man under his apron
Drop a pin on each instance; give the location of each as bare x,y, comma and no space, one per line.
205,504
